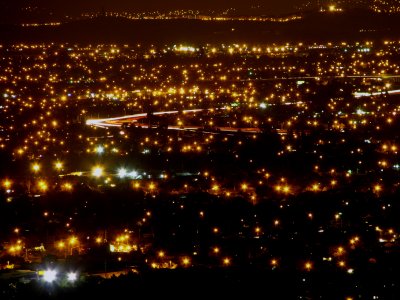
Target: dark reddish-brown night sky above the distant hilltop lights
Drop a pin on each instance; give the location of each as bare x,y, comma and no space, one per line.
76,6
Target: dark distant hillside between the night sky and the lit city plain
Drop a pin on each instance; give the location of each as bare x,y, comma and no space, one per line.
353,25
